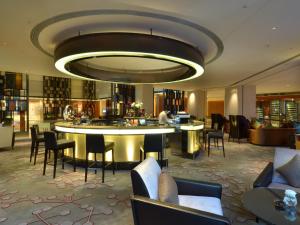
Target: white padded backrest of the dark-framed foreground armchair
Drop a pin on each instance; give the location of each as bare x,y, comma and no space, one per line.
149,171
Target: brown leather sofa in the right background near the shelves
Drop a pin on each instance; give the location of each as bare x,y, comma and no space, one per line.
271,136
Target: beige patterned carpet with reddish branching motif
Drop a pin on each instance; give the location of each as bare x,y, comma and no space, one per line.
27,197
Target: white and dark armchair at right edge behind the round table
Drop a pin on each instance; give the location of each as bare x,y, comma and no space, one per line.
270,178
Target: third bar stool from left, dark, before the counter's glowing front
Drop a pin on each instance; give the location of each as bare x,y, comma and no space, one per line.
95,144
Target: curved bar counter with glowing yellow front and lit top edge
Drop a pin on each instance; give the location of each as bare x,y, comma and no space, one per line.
127,139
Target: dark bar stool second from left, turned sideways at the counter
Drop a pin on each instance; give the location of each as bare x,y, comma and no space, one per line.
56,145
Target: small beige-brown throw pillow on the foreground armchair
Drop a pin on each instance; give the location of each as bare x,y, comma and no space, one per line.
167,189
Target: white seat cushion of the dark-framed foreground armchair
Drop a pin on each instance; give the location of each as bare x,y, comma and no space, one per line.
203,203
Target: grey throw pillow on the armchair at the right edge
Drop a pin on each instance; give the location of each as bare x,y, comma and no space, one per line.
291,171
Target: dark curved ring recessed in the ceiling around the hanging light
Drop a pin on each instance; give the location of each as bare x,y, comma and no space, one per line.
35,32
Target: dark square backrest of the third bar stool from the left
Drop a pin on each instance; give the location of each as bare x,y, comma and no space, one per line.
95,143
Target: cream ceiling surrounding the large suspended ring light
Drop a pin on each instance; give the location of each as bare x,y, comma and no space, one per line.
247,42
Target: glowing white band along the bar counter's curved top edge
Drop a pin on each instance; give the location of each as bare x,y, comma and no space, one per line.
115,131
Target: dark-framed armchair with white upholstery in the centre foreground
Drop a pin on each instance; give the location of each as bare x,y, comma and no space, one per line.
199,202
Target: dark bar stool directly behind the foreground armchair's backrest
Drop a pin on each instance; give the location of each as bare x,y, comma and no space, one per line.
153,143
